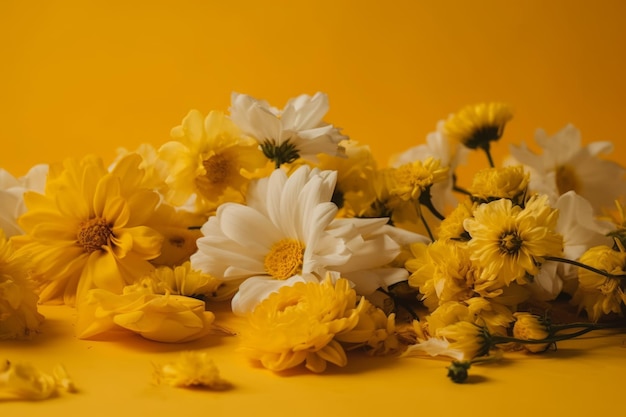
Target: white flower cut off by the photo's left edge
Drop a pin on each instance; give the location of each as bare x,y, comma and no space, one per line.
12,196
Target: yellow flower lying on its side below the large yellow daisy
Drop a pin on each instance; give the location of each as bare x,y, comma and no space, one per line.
159,317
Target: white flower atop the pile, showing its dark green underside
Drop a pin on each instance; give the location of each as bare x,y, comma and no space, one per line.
284,135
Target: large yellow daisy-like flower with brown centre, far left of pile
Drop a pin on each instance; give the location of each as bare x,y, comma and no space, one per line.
89,228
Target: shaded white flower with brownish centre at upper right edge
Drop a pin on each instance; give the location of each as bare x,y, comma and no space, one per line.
565,165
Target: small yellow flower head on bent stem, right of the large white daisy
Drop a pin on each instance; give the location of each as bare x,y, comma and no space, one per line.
410,180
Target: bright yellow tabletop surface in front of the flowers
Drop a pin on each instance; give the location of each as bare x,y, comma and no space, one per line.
114,376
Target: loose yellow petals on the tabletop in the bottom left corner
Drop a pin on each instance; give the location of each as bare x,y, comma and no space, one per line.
22,381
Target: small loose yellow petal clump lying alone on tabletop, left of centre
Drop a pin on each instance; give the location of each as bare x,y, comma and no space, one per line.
190,369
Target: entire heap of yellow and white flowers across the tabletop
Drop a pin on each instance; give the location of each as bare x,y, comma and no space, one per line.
324,252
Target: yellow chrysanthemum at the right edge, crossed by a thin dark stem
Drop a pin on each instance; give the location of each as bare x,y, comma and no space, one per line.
596,294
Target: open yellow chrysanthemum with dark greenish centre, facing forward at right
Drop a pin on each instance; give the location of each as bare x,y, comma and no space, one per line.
509,241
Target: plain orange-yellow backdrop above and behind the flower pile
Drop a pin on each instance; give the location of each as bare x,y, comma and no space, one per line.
82,77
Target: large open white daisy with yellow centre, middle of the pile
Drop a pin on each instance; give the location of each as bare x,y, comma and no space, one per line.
286,234
